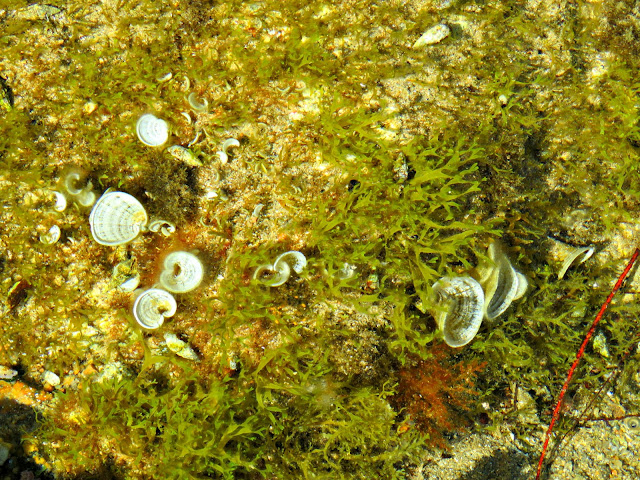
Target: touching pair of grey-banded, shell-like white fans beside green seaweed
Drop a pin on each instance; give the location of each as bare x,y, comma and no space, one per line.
462,302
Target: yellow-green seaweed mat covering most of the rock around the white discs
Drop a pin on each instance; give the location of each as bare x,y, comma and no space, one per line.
402,207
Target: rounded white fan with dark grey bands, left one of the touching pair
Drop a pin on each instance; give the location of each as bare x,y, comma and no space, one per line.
459,309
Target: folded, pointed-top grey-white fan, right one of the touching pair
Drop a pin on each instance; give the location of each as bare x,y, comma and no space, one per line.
501,282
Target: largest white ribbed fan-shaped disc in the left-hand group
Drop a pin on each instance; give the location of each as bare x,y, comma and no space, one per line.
117,218
